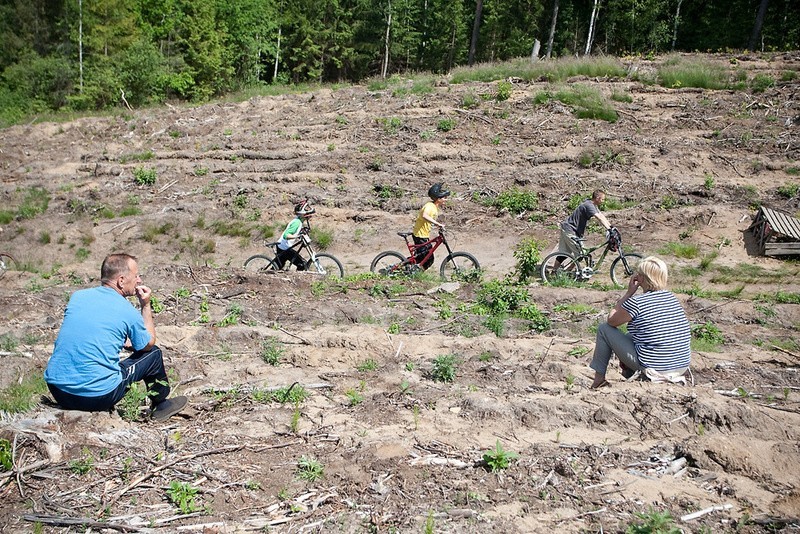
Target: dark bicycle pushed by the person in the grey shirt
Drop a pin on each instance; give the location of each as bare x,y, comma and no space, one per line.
563,267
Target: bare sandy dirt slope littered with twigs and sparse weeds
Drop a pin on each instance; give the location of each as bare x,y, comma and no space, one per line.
402,452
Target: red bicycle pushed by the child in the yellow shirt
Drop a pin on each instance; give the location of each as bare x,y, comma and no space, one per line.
456,266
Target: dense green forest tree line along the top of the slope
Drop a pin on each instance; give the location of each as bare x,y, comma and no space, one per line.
89,54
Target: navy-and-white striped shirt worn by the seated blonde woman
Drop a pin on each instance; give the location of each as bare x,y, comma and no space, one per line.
659,330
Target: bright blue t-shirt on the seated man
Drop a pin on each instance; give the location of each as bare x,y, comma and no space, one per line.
85,359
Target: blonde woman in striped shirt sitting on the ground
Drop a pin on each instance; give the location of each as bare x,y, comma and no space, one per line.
658,335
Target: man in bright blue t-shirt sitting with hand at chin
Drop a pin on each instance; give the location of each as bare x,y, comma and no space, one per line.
85,372
